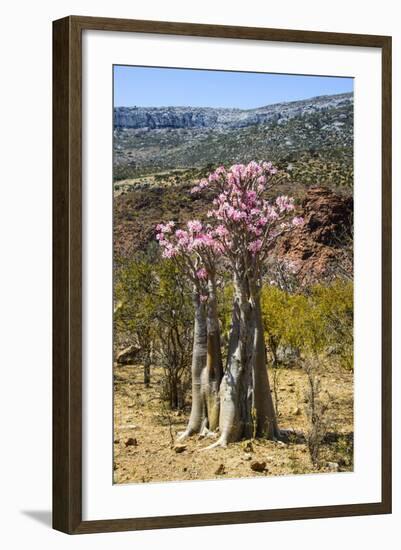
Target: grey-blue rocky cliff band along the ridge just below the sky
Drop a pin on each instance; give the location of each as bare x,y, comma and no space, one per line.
193,117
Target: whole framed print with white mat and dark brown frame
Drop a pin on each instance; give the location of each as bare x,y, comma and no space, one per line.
222,274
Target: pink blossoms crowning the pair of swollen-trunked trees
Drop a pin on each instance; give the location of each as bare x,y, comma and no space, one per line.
242,221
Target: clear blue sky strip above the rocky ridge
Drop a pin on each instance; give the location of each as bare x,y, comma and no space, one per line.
161,87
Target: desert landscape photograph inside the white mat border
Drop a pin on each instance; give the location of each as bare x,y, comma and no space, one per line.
232,274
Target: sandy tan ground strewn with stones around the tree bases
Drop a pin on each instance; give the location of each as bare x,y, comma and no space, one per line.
145,432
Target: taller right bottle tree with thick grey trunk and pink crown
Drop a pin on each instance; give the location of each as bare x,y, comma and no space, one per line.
242,228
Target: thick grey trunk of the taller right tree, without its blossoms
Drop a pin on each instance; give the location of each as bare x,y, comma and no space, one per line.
246,406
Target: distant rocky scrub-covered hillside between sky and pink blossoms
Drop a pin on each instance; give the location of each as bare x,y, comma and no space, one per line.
311,139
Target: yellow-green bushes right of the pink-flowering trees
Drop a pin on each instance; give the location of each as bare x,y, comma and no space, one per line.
318,322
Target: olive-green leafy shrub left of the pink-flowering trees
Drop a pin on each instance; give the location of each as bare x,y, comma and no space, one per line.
153,309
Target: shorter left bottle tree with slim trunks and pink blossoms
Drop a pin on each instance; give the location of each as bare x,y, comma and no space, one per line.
196,253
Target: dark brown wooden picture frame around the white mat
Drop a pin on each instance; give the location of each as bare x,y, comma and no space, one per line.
67,274
